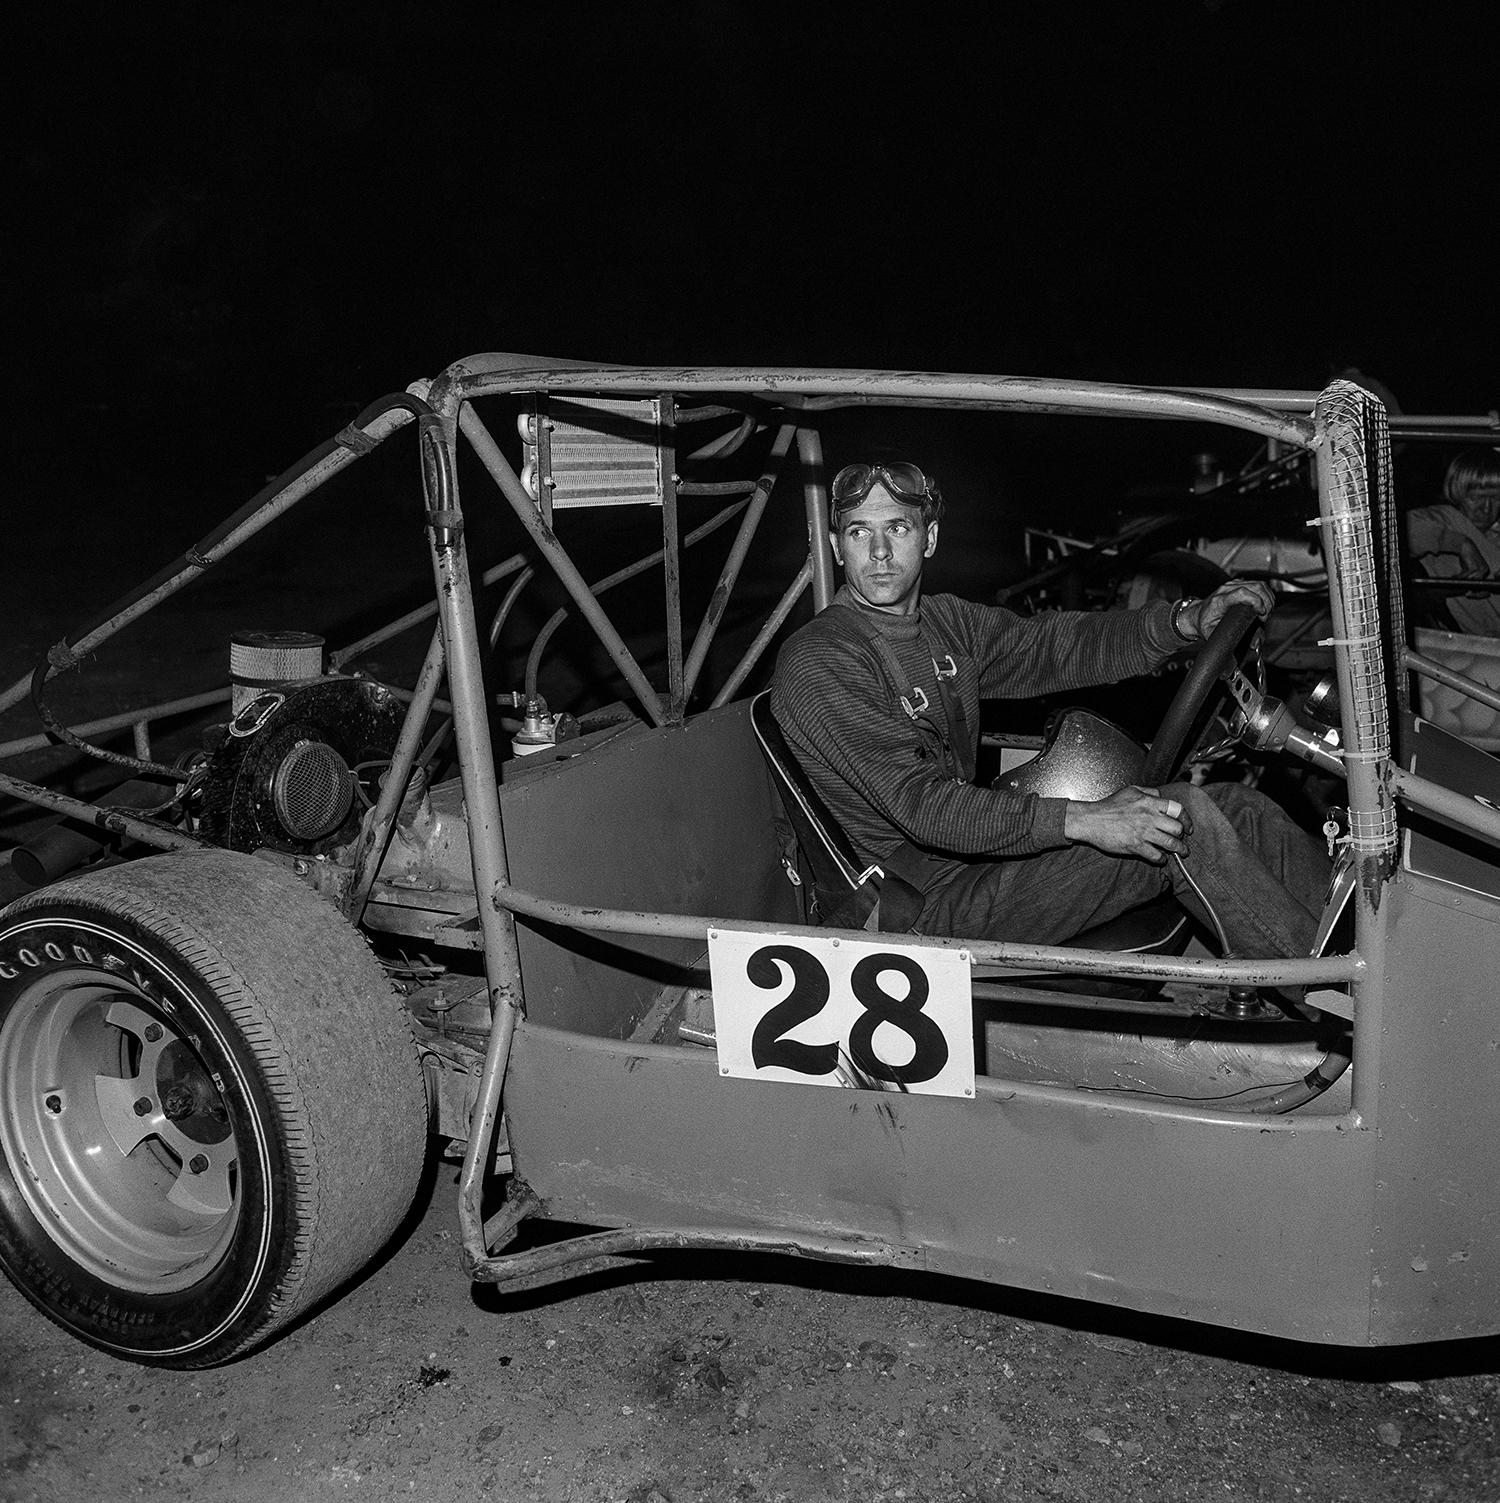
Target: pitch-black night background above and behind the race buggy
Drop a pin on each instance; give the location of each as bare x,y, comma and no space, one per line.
234,228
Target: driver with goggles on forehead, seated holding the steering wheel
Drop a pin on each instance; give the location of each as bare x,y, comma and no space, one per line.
879,697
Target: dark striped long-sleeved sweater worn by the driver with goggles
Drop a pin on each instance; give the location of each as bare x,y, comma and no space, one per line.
871,764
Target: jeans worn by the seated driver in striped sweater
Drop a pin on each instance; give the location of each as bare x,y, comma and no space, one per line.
1262,875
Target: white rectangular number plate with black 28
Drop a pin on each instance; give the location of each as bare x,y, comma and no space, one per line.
842,1012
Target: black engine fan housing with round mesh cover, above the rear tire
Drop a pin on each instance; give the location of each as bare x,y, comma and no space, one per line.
288,775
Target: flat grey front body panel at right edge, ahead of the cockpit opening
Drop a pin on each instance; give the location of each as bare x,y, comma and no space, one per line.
1436,1269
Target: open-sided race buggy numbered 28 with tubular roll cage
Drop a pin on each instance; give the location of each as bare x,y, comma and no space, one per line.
644,984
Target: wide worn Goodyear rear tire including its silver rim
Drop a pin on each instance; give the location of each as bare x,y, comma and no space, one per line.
211,1105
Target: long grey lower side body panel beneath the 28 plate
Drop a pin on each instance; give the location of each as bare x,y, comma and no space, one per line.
1242,1221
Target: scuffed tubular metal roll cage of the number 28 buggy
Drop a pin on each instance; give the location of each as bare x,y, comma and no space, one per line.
1344,429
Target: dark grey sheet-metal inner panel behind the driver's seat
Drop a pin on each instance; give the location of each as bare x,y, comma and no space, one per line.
677,818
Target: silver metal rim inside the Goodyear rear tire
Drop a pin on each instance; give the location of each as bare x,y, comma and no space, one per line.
116,1133
